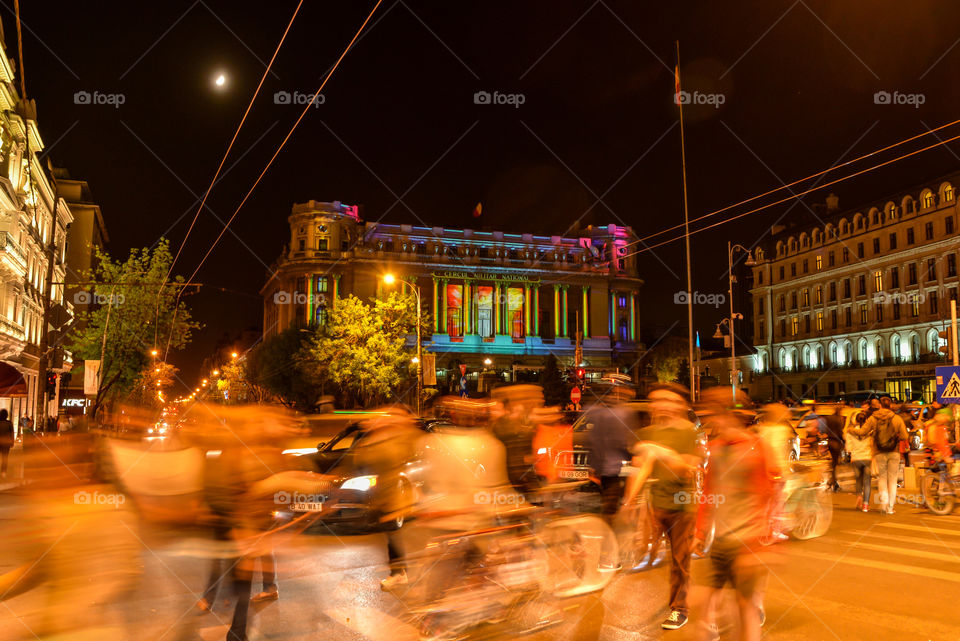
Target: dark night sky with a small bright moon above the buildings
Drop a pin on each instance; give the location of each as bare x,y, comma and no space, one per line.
595,139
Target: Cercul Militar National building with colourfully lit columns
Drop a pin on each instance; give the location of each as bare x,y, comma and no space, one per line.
509,298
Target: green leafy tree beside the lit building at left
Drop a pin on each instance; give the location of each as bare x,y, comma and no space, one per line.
137,310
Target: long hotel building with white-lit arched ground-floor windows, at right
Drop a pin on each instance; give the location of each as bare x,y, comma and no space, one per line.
855,302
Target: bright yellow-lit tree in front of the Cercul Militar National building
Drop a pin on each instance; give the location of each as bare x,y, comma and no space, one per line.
363,350
